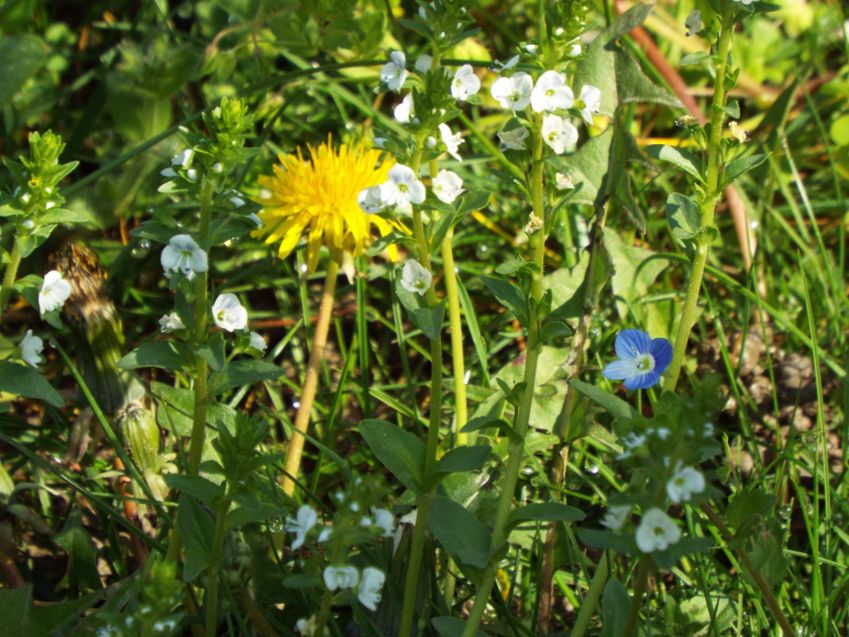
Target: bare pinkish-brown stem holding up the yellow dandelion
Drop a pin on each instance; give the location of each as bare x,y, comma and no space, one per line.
319,341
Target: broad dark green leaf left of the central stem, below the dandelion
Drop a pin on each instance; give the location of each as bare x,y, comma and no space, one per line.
400,451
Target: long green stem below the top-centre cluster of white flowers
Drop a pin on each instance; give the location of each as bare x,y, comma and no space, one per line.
516,448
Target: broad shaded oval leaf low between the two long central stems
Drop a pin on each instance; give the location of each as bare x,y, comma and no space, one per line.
460,532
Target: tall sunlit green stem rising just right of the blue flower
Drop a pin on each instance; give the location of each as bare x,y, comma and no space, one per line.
713,192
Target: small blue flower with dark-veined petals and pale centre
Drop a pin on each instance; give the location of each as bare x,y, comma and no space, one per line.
641,359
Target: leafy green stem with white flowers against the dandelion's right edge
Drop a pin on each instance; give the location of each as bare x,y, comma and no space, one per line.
425,498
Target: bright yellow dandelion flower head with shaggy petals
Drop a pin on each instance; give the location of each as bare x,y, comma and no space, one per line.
318,198
